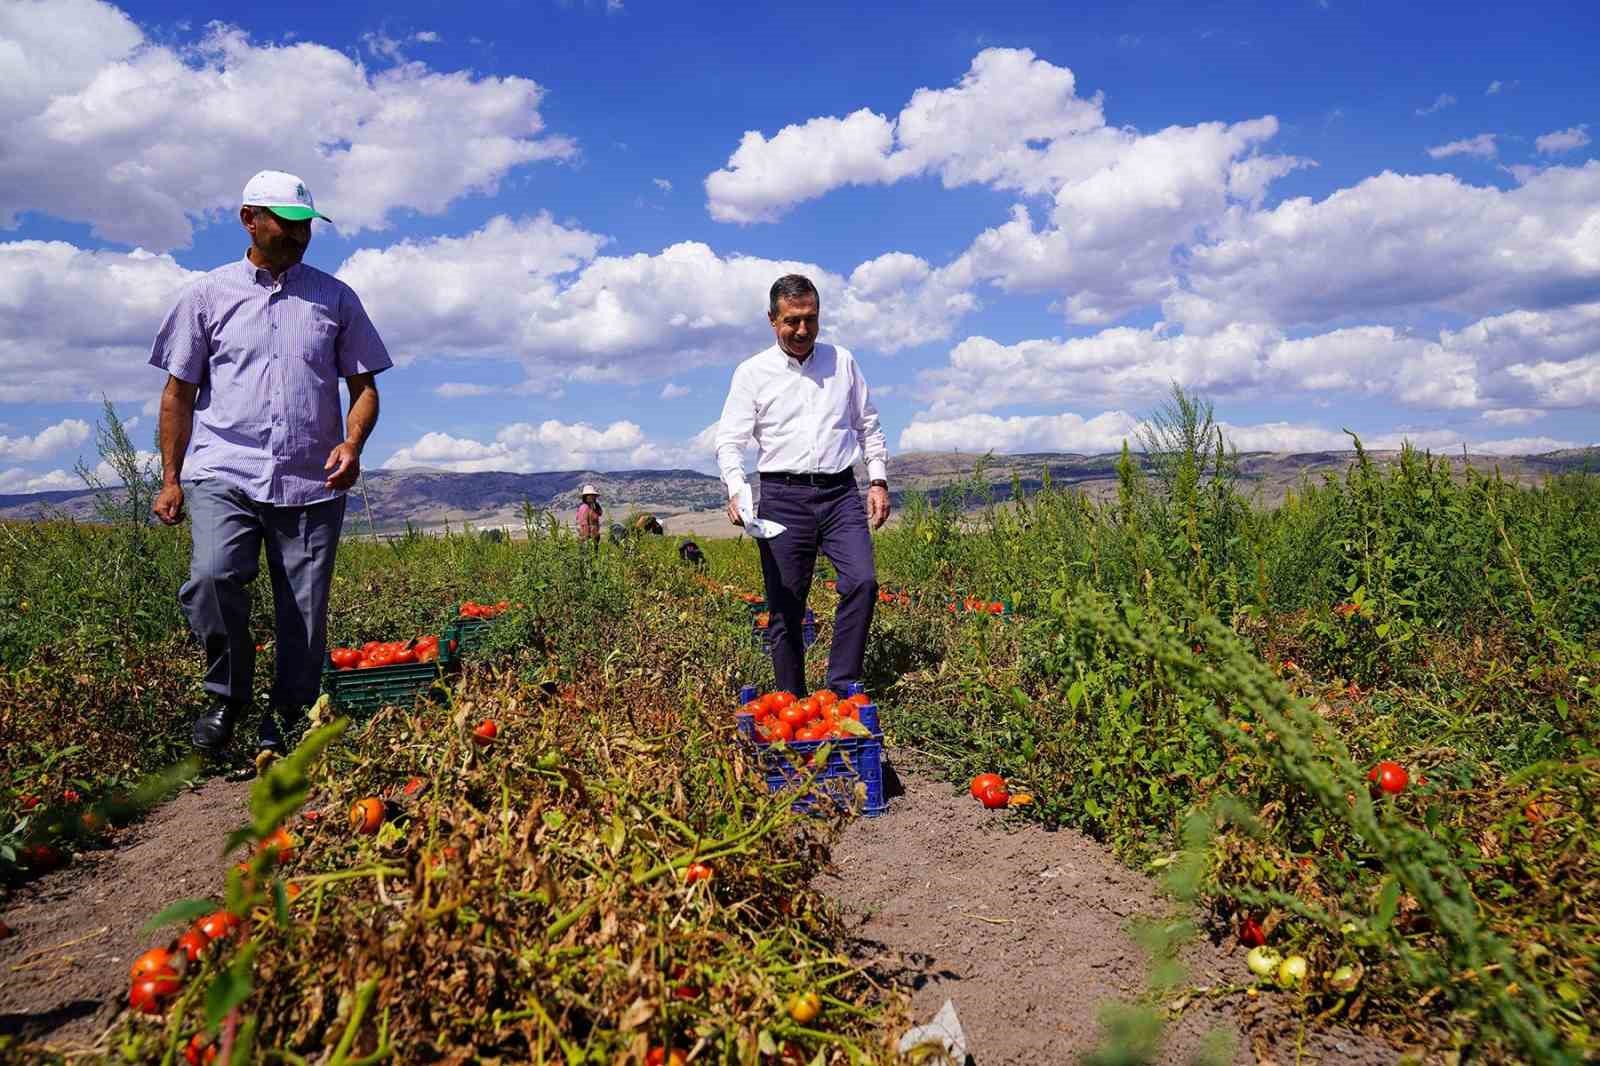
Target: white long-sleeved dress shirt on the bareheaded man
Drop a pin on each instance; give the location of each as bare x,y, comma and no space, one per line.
806,419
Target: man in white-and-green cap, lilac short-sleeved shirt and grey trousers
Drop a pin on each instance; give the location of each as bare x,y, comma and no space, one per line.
250,420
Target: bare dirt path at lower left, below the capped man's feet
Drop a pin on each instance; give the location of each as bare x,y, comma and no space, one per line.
65,969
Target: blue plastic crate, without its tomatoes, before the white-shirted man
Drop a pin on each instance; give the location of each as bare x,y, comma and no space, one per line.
852,761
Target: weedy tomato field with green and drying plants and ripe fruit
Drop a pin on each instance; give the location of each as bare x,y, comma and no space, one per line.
1354,734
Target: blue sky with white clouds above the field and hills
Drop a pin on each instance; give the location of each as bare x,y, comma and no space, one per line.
1025,220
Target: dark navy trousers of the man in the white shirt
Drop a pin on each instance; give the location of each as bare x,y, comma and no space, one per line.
820,519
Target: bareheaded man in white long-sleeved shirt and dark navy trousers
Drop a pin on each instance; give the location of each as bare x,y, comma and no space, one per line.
809,412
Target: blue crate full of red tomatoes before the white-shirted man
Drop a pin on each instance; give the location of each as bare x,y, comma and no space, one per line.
786,737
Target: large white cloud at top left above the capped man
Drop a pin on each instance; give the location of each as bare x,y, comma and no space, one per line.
145,140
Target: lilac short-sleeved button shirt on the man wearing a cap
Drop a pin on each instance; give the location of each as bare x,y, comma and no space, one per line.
268,356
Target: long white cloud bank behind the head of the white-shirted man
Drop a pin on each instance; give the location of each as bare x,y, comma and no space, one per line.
542,294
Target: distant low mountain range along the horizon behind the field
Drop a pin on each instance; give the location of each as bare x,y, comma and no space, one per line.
690,502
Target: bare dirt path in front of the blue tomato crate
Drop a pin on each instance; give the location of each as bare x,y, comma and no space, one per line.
1026,932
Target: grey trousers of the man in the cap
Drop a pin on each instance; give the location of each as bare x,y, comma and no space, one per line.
230,531
